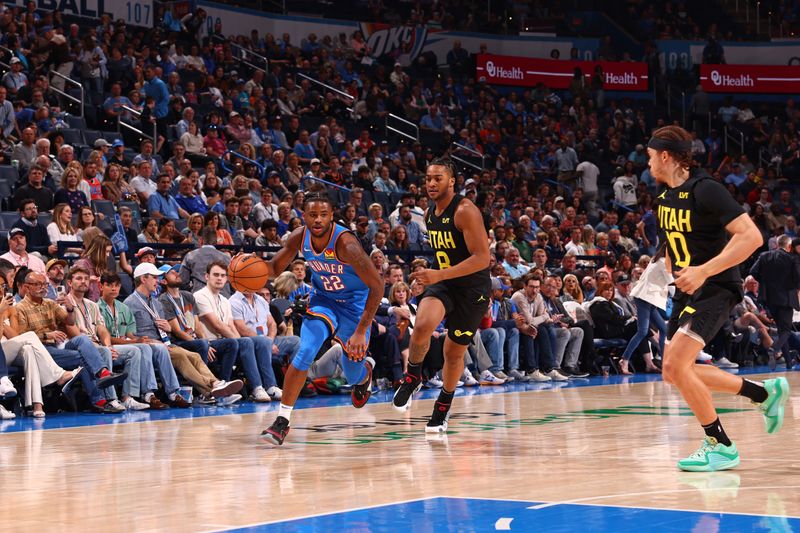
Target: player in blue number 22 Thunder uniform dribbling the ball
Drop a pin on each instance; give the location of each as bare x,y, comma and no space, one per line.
346,292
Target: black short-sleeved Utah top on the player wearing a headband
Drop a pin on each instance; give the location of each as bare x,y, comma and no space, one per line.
692,220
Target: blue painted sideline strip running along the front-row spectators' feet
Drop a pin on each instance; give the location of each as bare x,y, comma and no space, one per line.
72,420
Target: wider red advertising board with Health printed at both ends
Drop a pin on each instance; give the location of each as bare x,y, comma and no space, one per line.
556,74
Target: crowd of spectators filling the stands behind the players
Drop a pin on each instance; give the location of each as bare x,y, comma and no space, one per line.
562,180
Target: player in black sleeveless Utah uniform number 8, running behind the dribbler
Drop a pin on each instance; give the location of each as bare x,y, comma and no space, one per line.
459,289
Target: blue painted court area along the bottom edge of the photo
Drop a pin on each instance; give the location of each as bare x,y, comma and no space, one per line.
473,514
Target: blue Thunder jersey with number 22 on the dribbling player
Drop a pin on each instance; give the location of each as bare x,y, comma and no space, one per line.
332,278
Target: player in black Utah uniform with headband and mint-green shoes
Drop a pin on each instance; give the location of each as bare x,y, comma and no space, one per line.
696,215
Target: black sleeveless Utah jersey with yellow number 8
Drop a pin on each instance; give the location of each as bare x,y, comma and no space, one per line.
450,247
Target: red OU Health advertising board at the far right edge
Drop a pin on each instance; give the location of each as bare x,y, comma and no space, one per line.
750,78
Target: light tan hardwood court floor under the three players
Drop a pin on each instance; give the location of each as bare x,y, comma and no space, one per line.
613,445
